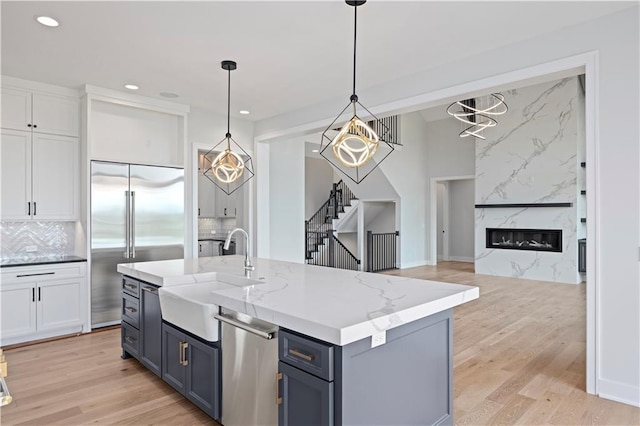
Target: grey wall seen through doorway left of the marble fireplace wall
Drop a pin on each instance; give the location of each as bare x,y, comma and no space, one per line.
461,220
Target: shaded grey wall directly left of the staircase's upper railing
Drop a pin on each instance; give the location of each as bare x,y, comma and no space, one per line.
318,183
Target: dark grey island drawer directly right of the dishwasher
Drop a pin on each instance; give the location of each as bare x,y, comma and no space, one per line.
308,354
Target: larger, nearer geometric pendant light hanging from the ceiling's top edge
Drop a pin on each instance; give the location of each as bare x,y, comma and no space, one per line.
359,146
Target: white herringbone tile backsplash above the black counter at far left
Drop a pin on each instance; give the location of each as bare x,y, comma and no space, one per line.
48,238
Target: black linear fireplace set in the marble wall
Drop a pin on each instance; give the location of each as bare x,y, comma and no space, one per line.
525,239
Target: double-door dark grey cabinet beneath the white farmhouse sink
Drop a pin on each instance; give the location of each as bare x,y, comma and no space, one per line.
192,367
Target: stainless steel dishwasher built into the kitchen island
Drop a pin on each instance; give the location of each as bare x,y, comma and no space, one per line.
249,368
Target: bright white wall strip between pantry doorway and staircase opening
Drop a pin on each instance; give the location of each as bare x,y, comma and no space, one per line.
286,201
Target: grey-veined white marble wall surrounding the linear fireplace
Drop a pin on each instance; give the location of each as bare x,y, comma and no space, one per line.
531,156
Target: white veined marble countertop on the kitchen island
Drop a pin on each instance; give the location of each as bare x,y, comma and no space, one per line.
334,305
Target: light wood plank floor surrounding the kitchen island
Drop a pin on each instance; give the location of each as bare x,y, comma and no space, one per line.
519,358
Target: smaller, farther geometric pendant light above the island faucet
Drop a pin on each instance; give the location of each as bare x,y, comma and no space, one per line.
229,169
